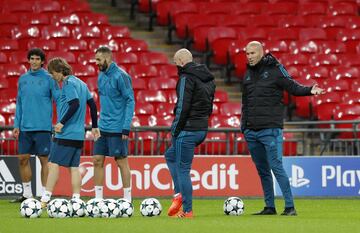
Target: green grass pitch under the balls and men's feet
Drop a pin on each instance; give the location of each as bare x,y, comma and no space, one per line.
314,215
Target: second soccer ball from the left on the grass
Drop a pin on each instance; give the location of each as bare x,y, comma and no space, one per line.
59,208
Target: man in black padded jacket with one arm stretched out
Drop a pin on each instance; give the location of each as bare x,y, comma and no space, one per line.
262,121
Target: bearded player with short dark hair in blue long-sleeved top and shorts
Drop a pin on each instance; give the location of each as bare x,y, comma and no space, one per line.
116,112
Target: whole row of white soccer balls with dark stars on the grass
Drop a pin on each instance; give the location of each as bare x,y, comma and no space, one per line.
107,208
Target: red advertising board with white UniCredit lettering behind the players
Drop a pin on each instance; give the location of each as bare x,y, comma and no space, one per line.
210,175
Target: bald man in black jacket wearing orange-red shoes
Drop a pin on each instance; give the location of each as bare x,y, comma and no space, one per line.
195,94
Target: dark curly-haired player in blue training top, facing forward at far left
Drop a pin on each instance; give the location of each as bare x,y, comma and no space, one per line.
33,119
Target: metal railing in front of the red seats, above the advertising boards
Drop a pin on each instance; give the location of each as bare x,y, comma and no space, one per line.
300,138
